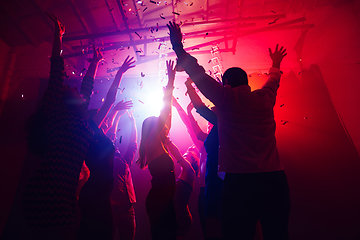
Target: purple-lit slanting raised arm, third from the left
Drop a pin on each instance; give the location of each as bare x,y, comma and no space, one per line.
111,95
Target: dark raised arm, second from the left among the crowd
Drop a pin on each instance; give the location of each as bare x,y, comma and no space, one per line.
87,83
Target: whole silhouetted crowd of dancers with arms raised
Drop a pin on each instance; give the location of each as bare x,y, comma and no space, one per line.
83,187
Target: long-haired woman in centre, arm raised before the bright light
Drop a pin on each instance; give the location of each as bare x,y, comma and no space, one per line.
153,154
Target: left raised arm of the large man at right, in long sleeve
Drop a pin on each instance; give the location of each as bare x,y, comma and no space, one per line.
209,87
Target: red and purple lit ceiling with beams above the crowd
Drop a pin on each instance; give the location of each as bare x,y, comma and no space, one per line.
140,25
